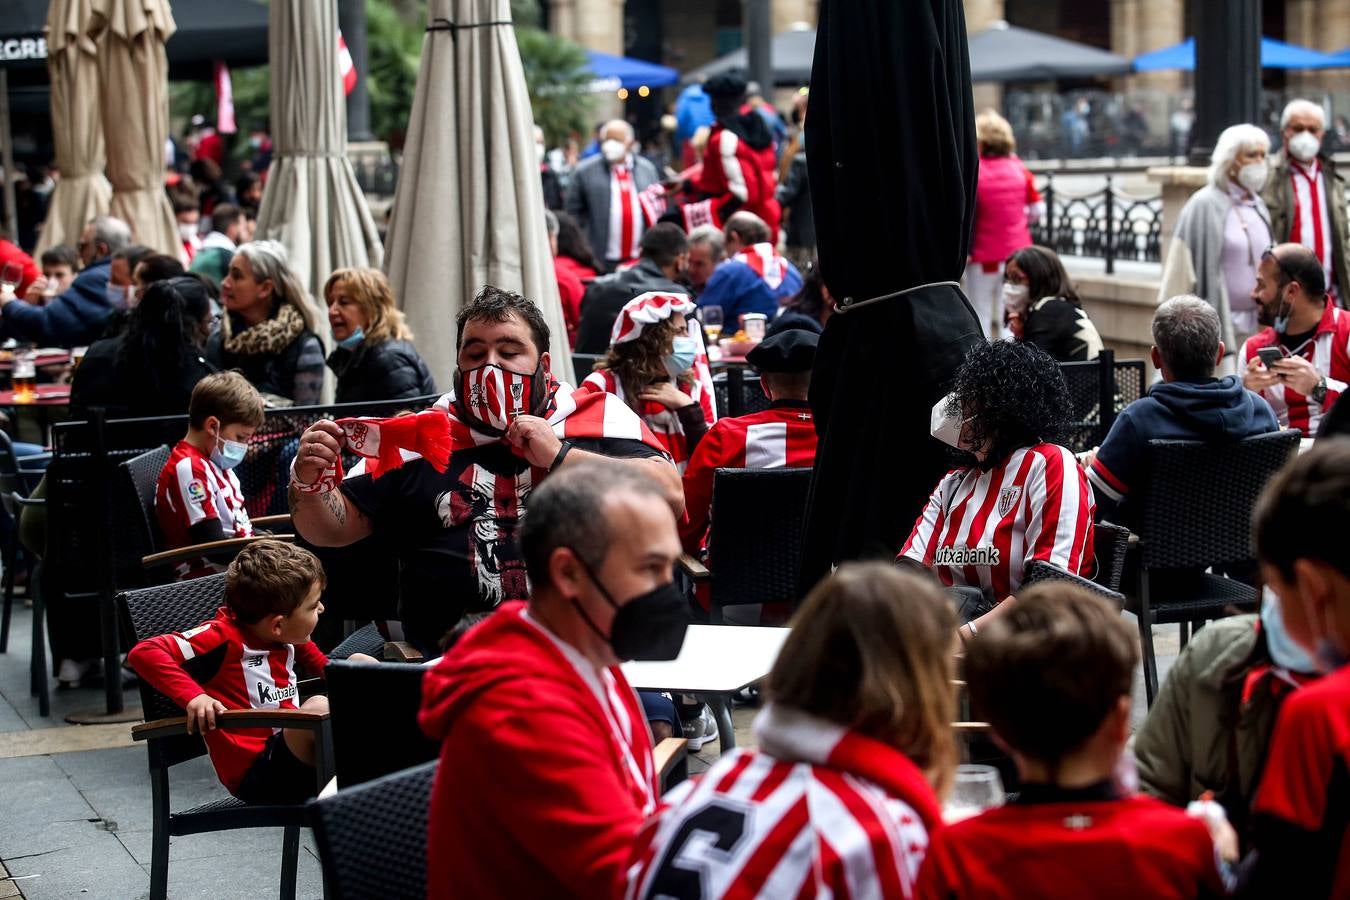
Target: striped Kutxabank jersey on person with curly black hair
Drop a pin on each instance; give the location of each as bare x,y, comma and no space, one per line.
982,530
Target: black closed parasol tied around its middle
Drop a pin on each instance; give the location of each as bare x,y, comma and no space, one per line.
890,132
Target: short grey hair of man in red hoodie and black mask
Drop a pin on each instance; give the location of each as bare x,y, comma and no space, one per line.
568,511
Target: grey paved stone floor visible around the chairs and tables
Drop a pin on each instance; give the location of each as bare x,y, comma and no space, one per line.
75,802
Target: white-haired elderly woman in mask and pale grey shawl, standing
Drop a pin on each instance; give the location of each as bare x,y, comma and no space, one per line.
1222,233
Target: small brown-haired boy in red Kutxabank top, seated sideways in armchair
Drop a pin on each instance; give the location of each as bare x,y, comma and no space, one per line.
246,658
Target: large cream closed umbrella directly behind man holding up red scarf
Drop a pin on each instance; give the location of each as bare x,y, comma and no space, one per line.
470,210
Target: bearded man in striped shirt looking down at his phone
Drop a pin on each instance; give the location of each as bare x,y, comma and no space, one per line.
1301,362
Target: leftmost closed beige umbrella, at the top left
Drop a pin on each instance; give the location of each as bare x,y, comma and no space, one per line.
82,194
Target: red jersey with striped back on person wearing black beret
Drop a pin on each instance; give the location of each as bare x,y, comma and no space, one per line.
782,437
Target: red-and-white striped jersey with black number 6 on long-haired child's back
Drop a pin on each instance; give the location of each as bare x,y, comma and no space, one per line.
819,812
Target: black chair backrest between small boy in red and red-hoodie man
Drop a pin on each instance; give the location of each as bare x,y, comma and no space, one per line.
375,720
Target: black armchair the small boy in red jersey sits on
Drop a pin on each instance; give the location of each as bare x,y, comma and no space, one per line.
175,608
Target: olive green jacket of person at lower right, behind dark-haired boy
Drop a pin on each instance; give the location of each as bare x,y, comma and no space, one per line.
1199,736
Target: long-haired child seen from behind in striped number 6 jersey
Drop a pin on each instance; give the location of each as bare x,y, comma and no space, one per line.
854,750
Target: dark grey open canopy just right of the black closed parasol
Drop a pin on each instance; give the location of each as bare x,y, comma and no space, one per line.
1008,53
